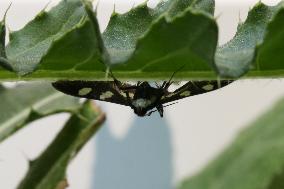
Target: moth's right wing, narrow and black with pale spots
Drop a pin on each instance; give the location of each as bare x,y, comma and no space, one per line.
192,88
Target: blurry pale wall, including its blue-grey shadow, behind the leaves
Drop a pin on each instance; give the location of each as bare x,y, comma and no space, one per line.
145,153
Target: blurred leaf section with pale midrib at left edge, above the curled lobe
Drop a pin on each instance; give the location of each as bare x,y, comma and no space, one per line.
28,102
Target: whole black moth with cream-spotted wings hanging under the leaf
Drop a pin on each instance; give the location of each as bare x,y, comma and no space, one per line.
142,97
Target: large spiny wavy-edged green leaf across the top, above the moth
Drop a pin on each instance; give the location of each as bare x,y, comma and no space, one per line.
145,43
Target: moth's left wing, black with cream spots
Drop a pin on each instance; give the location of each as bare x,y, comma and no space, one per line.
98,90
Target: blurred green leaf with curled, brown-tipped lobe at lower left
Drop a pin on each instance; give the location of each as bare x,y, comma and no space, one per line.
28,102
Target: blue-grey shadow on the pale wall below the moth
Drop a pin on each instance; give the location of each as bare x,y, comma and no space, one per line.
141,160
